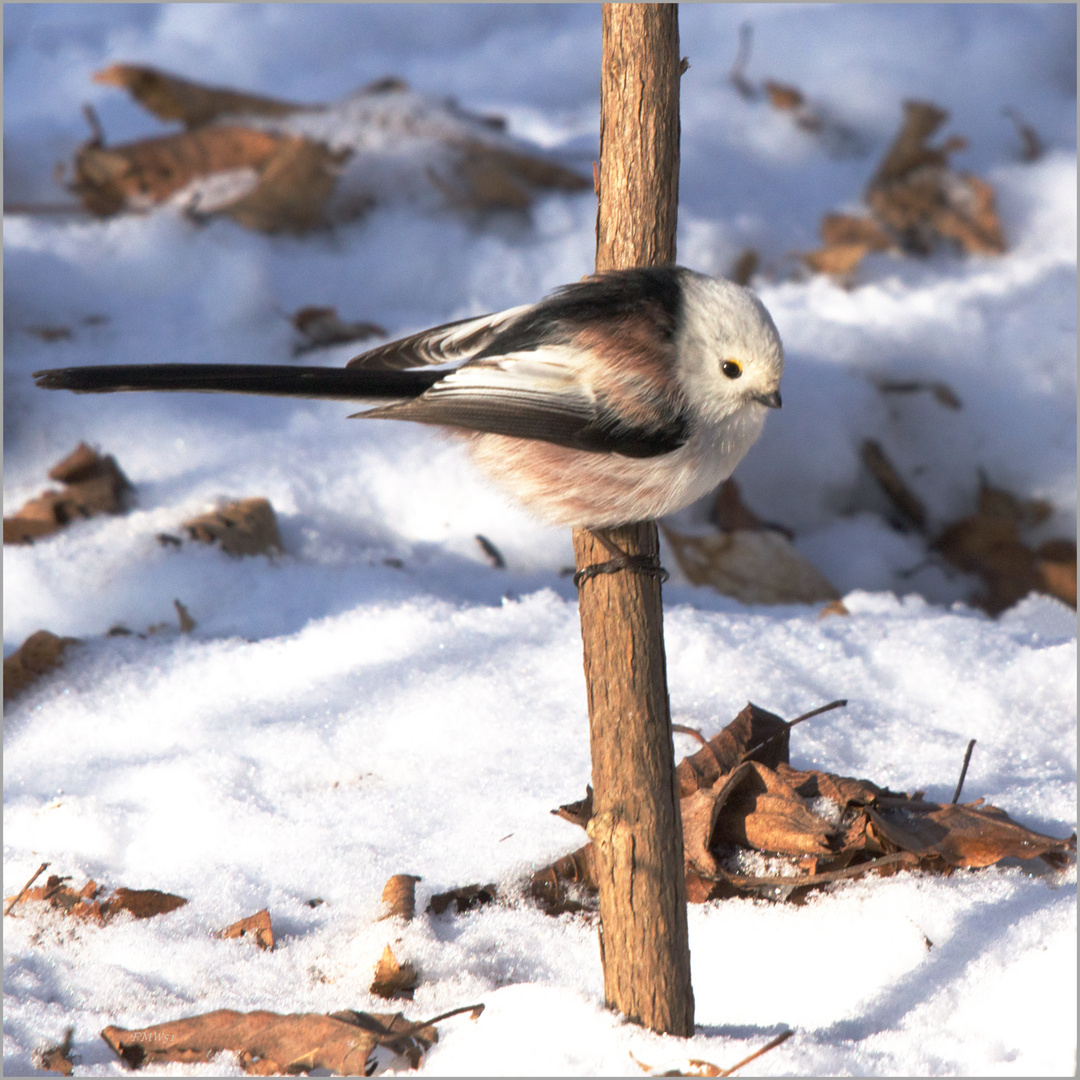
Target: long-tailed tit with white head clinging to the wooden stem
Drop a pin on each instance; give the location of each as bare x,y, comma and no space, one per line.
622,398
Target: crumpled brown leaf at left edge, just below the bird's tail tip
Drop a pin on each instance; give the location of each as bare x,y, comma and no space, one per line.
93,485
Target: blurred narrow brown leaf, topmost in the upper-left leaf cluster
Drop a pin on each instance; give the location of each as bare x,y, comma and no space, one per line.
170,98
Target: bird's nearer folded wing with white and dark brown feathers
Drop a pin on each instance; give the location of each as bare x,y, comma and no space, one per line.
543,395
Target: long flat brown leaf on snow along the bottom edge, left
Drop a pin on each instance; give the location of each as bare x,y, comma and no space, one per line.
274,1045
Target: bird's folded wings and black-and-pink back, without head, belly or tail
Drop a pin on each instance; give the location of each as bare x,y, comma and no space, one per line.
535,372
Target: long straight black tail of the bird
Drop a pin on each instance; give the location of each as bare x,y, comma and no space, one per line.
331,384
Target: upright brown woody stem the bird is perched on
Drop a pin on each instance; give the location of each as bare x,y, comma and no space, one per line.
637,827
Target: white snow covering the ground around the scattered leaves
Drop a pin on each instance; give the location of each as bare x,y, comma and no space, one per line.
336,719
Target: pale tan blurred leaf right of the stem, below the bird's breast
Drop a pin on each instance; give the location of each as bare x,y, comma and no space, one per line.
754,566
